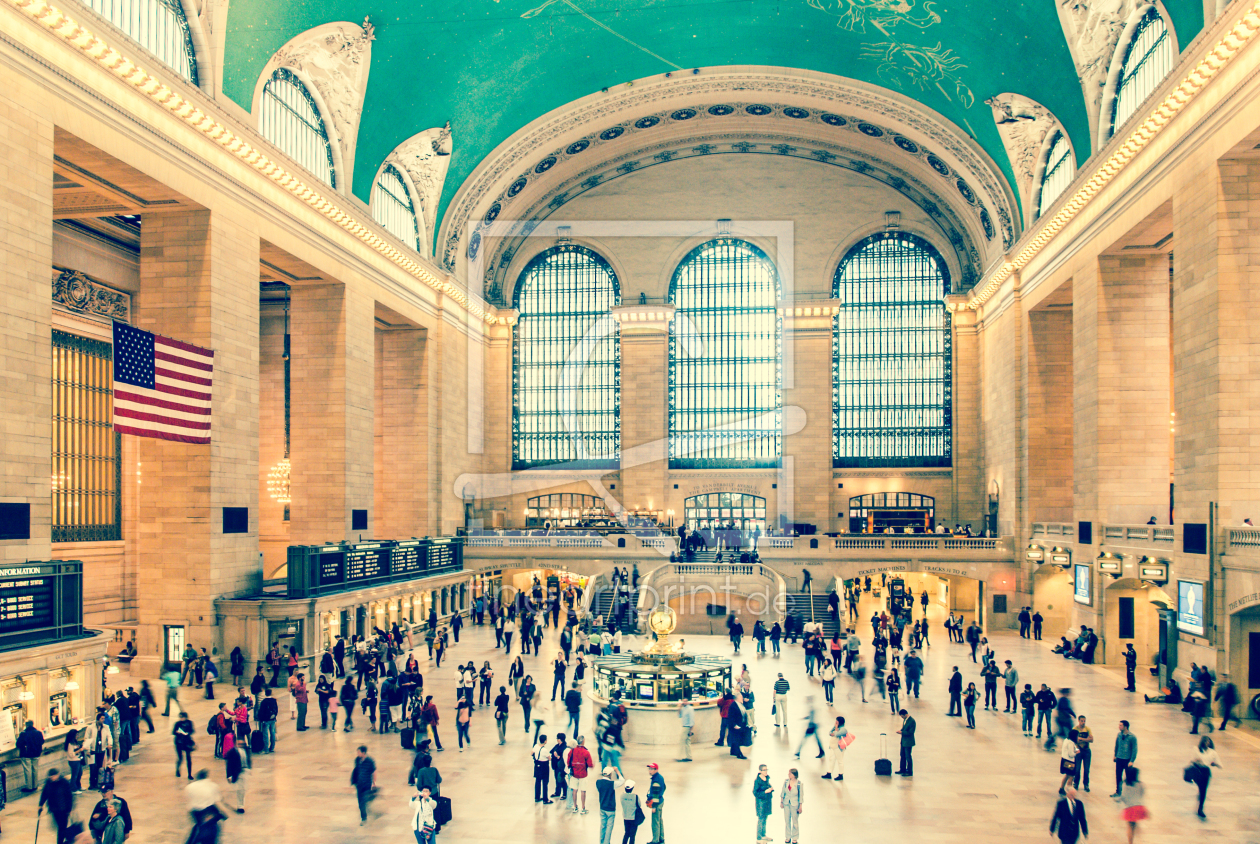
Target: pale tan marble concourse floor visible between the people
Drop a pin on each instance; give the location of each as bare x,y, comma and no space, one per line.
986,785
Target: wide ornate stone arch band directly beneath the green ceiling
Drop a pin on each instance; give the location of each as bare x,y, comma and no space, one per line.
592,118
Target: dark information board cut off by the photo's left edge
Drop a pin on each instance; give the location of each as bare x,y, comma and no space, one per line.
41,602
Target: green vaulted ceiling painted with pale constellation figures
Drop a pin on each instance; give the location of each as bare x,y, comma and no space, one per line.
491,67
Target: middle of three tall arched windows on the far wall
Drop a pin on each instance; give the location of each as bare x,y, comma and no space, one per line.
725,368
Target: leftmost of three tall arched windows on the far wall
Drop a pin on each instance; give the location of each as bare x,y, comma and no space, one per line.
566,363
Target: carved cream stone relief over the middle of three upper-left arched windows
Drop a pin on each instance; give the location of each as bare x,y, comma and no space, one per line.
336,59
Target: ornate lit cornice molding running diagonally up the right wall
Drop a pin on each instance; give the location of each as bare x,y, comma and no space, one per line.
1230,43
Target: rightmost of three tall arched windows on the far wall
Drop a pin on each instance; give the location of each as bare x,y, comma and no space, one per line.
891,356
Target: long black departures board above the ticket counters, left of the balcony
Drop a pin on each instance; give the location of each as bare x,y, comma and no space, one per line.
322,570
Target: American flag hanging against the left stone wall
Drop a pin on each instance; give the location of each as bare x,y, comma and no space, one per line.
162,387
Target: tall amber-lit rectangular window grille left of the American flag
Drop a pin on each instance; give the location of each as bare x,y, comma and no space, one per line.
88,465
